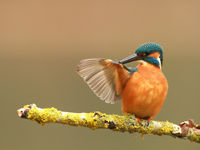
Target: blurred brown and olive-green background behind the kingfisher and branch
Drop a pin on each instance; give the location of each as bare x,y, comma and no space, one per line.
41,43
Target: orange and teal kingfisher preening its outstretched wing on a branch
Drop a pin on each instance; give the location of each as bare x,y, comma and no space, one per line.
142,89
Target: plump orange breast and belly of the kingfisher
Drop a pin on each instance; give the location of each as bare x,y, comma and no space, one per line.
145,92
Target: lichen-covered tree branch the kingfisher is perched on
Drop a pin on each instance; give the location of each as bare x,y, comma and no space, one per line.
97,120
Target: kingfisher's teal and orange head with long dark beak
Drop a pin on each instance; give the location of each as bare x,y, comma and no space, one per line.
148,52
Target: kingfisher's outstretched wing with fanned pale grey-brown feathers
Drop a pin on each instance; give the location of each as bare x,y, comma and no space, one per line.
105,77
